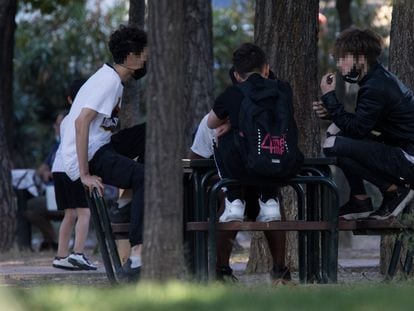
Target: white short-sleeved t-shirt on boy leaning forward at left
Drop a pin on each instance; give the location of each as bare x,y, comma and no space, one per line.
101,93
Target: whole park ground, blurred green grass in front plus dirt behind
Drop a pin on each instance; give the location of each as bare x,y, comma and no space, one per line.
29,282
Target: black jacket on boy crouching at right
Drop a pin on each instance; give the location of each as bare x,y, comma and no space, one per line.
384,104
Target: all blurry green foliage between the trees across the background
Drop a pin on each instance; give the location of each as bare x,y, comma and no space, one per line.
58,41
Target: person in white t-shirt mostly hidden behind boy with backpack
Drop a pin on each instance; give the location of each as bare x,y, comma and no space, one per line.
202,147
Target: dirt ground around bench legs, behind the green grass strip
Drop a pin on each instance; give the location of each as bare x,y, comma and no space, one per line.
358,262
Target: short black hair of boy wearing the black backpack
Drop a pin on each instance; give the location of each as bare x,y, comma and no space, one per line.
248,58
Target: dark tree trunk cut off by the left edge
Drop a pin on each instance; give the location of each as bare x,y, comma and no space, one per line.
7,206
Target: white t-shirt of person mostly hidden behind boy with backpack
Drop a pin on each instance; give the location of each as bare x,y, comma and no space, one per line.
204,140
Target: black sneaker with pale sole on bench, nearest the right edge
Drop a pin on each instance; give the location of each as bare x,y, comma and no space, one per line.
393,203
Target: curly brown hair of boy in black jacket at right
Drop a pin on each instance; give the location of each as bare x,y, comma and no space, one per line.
358,42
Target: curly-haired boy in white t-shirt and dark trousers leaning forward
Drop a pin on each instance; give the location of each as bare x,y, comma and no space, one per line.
90,151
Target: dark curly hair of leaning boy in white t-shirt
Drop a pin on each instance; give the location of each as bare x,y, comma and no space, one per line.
125,40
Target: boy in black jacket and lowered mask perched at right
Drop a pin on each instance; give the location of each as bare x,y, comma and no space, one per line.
384,105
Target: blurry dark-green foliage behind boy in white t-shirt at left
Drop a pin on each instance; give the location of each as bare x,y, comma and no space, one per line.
55,42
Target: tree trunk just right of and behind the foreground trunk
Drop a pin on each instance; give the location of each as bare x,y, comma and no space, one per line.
198,96
